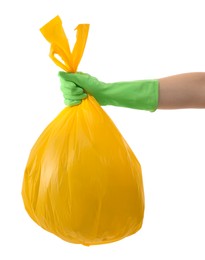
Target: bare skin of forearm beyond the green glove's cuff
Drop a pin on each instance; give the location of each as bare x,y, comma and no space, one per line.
182,91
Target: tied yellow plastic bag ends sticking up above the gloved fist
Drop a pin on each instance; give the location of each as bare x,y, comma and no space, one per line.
55,35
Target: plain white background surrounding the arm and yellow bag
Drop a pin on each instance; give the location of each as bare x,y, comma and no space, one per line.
128,40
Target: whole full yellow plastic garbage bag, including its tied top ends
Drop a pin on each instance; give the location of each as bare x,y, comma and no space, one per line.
82,182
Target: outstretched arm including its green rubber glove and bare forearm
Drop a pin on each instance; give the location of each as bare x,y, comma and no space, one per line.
174,92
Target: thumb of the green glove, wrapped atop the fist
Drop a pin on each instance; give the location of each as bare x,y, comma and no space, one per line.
78,78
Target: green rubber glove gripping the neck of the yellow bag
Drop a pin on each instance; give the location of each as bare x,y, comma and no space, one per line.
139,94
